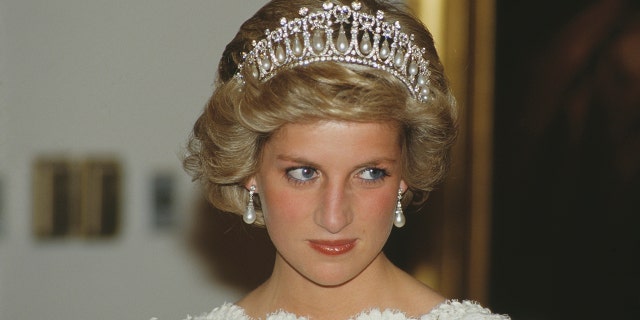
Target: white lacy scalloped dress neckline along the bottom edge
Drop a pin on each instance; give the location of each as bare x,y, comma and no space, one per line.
449,310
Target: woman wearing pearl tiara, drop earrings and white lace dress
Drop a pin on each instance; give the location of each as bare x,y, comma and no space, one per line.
327,118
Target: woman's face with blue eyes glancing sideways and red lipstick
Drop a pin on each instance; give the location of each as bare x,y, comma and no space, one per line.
328,192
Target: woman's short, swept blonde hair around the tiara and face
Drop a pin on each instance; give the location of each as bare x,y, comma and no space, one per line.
225,147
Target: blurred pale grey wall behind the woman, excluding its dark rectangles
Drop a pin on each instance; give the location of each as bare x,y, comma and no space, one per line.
123,79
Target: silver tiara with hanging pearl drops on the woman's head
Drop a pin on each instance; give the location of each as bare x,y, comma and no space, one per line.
309,38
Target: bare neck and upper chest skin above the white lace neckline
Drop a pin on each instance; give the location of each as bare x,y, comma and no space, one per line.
378,286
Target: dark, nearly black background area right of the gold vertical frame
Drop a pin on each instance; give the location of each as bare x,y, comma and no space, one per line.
566,232
